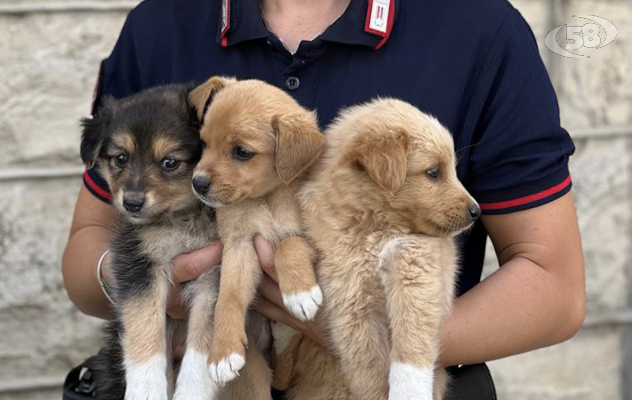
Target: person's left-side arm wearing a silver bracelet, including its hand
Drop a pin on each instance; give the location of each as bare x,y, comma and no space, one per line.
90,235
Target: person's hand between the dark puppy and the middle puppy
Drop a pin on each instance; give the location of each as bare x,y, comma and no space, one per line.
187,267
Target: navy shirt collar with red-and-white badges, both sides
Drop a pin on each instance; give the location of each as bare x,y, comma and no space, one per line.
240,21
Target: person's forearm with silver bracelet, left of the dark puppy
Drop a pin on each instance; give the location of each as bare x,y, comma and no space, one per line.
79,266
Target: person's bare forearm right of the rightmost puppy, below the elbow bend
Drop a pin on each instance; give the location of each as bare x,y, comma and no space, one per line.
520,307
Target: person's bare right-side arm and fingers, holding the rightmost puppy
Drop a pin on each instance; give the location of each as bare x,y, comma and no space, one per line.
535,299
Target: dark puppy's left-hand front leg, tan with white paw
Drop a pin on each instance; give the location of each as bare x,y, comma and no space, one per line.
143,317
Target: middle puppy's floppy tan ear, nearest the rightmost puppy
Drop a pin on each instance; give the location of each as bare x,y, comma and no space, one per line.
299,142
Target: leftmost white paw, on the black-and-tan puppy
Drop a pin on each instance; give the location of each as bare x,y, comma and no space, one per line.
146,381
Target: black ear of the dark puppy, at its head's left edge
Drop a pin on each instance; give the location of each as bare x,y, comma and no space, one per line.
94,130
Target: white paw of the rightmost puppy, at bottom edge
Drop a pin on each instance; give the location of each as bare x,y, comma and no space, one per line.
407,382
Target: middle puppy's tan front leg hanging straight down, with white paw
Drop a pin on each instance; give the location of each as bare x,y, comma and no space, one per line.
240,276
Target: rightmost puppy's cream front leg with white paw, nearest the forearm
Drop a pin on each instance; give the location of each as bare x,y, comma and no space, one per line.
417,299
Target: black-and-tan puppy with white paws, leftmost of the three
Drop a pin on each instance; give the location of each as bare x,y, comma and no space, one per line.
147,146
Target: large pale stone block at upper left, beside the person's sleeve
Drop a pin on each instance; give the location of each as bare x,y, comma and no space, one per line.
51,62
